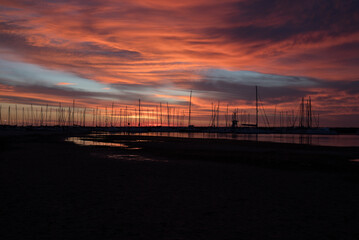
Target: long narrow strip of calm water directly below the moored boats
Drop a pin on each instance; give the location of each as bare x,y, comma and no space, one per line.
323,140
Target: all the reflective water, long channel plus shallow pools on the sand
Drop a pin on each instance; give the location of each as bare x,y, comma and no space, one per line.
99,139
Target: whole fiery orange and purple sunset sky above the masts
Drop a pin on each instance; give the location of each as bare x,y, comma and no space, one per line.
104,51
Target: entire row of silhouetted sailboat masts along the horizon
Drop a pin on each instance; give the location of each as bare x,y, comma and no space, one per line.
155,116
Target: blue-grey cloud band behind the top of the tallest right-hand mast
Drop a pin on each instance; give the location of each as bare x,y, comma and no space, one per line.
231,86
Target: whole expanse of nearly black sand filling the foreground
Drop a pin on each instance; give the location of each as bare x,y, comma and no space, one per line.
200,189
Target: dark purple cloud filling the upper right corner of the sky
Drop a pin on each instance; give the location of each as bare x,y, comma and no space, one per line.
279,20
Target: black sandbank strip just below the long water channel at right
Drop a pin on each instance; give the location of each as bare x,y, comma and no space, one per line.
274,154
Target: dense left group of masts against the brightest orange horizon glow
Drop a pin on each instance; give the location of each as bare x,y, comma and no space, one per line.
96,117
